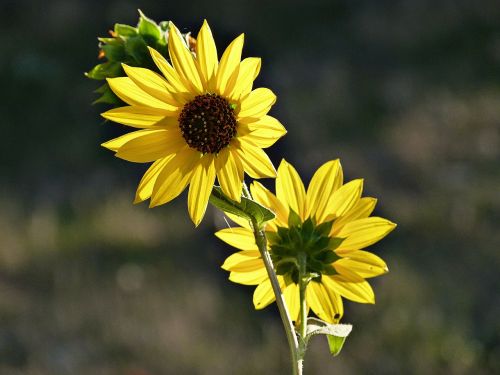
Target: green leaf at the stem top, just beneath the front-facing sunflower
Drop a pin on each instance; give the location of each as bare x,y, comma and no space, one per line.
247,208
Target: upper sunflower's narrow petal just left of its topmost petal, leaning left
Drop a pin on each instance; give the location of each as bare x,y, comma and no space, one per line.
183,60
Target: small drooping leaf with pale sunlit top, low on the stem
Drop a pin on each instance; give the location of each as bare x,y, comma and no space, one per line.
336,334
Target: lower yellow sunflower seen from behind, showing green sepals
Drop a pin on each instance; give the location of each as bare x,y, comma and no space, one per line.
325,229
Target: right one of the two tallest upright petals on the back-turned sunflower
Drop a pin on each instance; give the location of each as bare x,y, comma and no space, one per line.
326,180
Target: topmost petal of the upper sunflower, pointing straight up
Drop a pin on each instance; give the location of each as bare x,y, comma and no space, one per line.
206,55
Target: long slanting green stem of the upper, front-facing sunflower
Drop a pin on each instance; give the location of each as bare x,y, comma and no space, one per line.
260,240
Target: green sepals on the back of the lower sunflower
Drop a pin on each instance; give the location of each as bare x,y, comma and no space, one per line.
304,242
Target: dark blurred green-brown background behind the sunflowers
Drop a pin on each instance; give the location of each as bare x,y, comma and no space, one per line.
406,93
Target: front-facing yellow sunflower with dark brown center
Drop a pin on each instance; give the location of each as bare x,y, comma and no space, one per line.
198,121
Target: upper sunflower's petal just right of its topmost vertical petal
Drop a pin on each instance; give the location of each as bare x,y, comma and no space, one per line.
229,66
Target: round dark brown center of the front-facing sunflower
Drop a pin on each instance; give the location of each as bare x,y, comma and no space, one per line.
208,123
